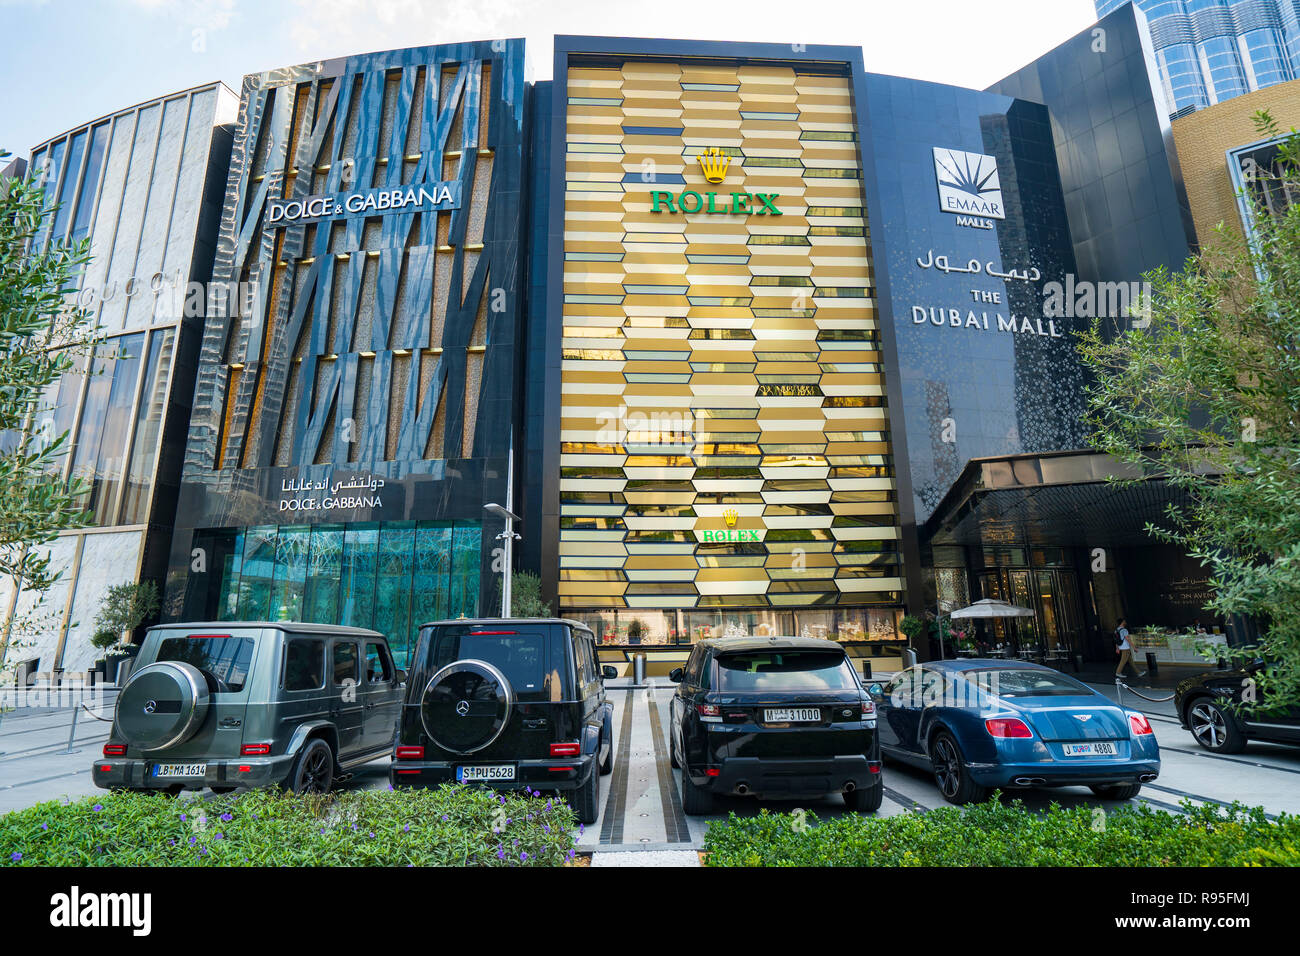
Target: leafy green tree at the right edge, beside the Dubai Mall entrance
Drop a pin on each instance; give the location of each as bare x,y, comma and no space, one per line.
1204,393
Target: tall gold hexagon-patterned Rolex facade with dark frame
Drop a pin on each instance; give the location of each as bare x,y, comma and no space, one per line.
723,461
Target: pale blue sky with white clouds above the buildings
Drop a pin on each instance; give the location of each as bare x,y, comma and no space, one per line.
64,63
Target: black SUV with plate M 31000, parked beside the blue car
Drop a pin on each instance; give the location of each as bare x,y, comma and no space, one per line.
782,717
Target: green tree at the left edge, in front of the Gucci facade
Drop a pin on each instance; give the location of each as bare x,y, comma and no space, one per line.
41,340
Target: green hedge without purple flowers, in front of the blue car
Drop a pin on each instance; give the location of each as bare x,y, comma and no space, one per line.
998,834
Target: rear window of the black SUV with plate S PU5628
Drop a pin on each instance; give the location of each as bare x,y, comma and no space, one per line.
532,663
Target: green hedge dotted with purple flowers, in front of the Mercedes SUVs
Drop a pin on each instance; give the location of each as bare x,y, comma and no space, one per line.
452,827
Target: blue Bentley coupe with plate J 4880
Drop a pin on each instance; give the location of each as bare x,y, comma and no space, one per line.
1012,725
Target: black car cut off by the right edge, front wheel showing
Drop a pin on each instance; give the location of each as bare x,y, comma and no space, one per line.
1210,706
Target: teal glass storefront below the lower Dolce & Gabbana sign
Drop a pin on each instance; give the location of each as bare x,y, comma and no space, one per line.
391,577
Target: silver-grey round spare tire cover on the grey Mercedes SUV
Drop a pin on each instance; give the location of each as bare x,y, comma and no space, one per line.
162,706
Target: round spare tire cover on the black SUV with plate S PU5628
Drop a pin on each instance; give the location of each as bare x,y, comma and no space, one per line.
466,706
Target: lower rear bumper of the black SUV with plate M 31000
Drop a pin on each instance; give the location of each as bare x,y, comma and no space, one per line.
791,778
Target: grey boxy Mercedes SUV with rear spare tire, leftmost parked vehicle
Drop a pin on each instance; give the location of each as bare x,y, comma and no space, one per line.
227,706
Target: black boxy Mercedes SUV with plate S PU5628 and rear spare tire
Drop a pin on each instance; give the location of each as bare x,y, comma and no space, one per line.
510,704
